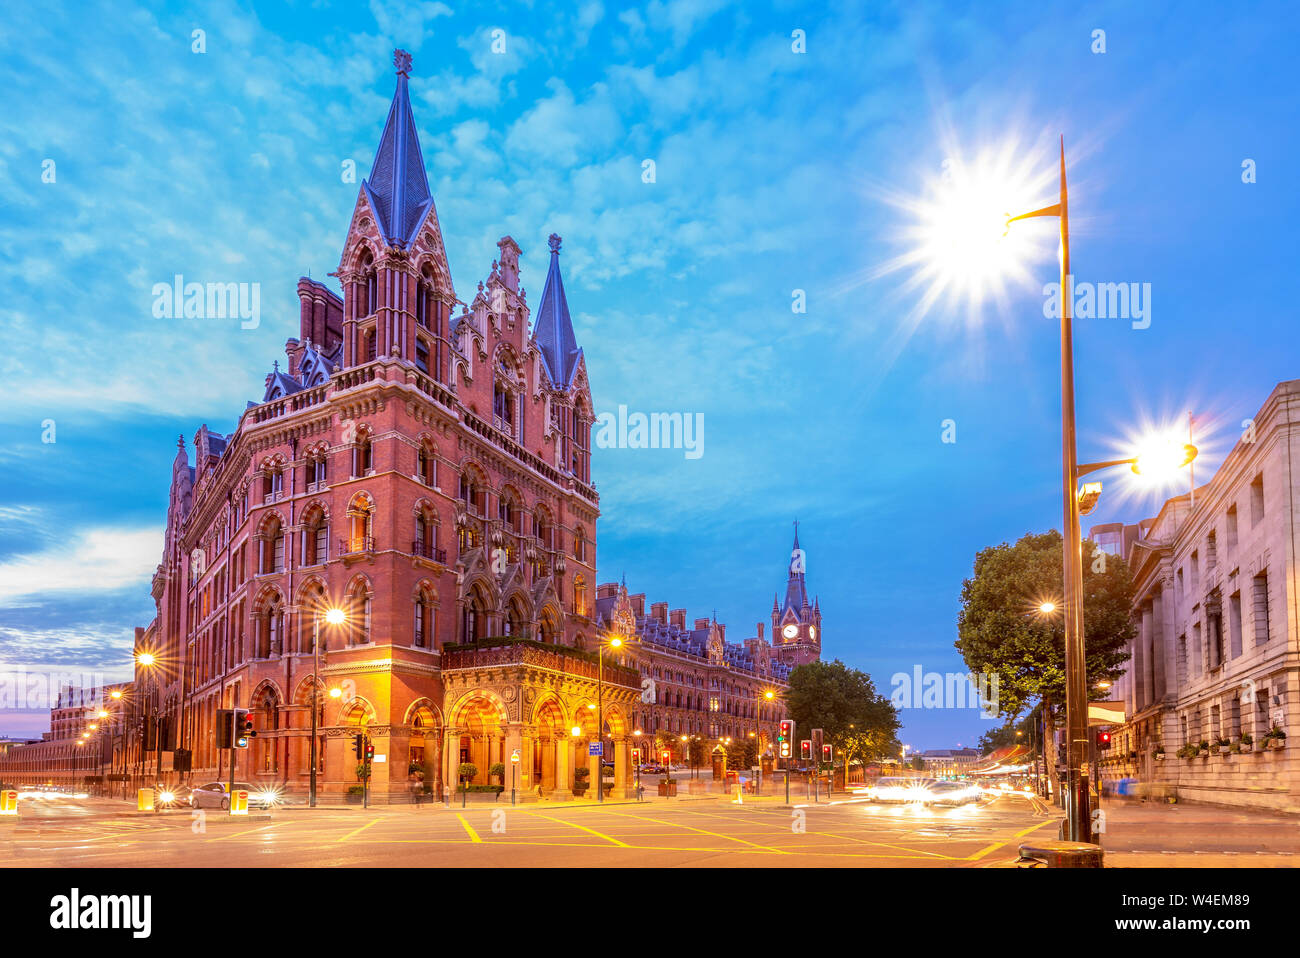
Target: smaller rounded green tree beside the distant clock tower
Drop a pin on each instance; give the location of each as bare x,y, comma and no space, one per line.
844,704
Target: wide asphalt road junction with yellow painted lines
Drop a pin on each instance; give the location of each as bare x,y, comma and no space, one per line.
660,834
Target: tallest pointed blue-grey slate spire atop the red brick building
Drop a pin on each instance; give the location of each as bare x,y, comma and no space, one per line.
398,188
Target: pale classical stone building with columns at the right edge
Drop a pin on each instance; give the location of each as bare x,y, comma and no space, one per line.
1217,653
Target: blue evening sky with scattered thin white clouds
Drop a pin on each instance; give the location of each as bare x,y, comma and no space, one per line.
774,172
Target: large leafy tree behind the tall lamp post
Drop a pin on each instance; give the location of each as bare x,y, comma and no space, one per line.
1003,634
